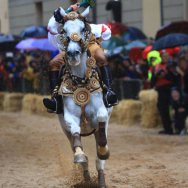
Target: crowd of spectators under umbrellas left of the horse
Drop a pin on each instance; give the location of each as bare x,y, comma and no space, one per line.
24,72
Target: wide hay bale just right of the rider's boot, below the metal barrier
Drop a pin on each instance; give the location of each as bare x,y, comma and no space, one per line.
127,112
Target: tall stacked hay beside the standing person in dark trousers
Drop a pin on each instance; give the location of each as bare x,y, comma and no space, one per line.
149,114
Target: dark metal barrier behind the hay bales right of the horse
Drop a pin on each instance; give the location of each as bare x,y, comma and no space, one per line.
127,89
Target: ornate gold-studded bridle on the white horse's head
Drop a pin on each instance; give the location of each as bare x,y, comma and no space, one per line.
64,39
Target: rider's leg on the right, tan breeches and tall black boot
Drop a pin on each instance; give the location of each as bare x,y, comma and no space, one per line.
110,98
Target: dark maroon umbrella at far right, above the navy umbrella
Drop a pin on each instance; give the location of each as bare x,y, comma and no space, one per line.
174,27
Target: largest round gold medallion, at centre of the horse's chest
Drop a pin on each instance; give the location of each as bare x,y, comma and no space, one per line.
81,96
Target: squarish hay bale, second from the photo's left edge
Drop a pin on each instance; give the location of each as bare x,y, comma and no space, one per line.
12,102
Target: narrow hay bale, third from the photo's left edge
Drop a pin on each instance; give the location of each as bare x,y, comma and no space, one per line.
29,103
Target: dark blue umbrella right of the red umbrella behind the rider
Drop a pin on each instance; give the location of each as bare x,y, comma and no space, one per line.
133,33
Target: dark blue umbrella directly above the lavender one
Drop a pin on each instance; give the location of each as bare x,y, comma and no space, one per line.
34,31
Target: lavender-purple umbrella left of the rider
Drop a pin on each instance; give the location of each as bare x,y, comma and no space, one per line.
33,43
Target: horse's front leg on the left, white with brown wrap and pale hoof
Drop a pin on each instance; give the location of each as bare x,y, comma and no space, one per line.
72,115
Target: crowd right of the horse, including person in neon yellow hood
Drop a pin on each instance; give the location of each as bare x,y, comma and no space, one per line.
167,72
